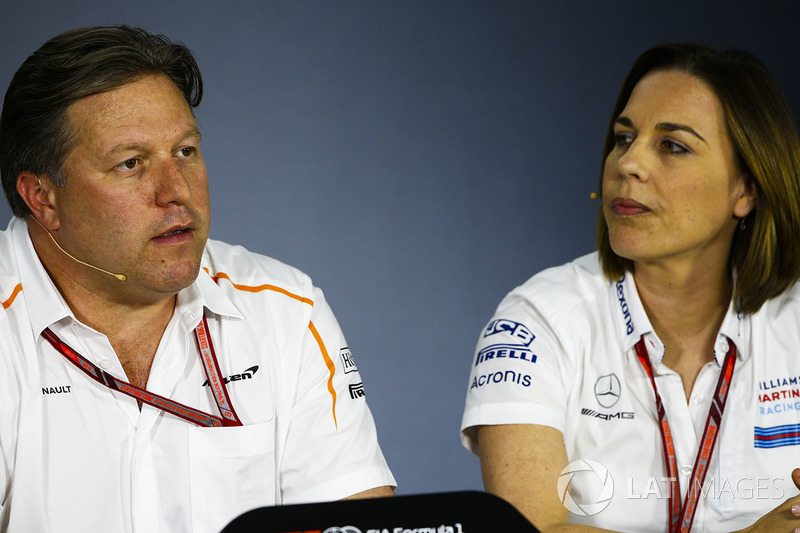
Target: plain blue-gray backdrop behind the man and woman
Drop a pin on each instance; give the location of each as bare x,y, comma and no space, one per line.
418,159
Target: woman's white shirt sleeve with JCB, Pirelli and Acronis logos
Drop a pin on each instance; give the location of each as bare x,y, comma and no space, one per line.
520,373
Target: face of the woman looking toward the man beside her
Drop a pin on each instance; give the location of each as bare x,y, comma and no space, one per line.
671,189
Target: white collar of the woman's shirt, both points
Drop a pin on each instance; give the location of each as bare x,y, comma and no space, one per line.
633,323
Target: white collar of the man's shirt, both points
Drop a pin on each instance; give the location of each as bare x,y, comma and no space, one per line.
46,306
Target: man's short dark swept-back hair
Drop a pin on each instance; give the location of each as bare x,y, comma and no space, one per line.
35,133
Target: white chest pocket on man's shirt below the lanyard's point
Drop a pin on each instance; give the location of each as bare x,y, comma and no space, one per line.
232,470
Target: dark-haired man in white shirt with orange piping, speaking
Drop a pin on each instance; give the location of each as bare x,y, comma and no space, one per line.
151,380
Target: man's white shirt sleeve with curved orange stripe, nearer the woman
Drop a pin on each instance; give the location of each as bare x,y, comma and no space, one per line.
332,447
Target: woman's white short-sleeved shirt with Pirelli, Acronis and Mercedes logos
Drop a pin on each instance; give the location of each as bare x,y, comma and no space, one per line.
559,352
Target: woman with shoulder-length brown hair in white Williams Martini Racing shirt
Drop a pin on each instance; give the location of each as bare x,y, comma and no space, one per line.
597,383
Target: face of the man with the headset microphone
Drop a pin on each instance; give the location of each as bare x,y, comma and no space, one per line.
136,199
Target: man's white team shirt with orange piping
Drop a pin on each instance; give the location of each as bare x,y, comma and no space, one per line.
78,456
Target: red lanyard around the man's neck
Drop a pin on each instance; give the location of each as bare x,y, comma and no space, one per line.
196,416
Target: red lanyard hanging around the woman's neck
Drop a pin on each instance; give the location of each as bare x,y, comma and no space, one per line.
682,516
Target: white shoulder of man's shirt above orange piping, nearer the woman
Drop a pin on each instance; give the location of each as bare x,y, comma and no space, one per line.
250,270
